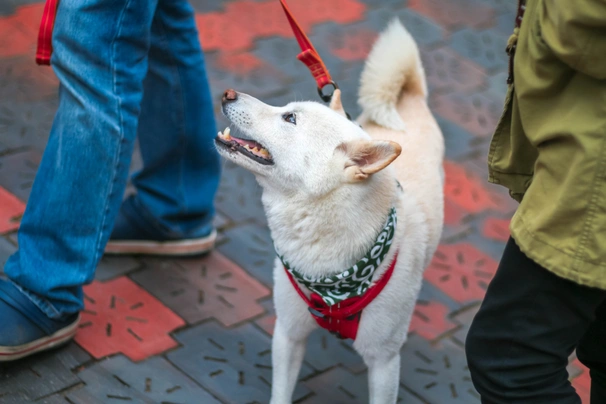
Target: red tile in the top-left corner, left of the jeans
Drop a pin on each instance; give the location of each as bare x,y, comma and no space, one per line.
19,32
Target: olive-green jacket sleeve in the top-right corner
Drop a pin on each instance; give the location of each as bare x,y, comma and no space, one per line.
575,31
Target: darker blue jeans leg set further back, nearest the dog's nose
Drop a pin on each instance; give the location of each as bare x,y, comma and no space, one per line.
180,175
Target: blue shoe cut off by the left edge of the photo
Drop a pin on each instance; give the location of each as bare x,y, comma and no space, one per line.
25,329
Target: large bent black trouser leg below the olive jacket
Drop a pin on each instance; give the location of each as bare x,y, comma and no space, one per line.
529,323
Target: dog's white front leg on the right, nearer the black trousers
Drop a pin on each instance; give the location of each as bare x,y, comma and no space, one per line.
383,377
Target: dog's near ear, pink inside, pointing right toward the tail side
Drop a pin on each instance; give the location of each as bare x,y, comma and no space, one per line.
366,157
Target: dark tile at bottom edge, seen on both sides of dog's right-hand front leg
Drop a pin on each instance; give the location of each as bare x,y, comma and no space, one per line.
338,386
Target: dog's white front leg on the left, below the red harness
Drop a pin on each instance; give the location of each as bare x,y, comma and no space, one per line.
287,356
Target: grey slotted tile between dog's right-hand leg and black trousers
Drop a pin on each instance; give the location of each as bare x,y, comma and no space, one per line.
437,373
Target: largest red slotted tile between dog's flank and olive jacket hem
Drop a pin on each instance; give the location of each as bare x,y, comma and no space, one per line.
461,271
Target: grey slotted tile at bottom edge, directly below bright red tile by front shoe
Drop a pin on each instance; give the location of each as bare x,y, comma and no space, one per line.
153,381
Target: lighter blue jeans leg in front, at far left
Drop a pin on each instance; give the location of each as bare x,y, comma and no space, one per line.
100,58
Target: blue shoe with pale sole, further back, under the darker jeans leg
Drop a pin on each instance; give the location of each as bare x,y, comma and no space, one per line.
133,235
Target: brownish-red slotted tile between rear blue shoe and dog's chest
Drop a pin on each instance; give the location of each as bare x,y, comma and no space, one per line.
204,288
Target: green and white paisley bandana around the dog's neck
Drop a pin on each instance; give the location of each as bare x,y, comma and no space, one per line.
356,280
